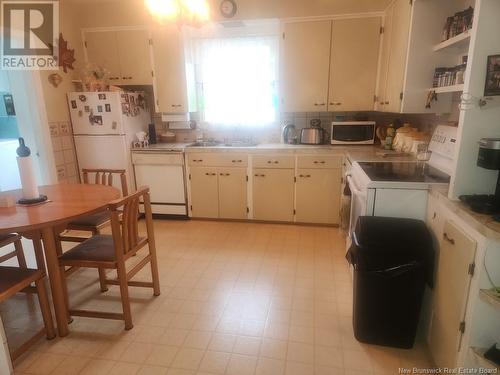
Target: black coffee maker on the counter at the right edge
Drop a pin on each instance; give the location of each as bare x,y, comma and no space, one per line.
488,158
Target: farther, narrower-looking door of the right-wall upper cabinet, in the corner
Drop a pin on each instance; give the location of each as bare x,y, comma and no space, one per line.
382,100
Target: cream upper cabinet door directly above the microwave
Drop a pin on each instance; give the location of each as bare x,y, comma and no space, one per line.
353,65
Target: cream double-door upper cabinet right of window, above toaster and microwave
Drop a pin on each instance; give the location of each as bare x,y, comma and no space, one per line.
330,65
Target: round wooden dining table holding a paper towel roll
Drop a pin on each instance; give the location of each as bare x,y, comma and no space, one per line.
43,222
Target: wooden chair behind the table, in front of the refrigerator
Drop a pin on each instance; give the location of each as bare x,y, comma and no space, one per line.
95,223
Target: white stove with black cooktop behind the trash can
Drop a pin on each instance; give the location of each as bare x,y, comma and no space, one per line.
399,189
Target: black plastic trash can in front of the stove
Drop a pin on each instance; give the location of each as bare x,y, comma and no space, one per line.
392,260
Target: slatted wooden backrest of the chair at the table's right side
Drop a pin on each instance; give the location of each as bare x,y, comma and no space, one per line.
127,228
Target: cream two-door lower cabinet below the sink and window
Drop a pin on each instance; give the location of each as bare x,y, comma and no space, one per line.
218,192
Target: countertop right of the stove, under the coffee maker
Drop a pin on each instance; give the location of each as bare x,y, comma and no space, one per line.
483,224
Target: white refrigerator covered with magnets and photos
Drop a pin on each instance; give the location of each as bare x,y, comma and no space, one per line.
105,126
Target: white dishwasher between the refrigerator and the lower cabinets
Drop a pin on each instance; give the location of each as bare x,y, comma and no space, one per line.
163,172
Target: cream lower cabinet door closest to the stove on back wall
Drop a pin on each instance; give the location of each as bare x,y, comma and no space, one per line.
318,196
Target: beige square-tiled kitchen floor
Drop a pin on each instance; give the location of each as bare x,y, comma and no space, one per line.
237,299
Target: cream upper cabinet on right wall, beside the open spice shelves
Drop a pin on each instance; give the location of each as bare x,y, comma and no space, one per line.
410,31
